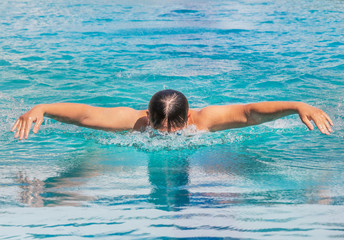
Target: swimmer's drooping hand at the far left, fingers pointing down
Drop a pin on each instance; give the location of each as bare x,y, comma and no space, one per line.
23,124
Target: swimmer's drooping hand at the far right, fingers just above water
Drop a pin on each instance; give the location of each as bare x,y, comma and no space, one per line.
309,113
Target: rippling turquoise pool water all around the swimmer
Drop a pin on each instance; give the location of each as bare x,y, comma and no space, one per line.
273,181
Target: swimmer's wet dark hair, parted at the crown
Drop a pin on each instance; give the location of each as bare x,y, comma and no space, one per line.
168,106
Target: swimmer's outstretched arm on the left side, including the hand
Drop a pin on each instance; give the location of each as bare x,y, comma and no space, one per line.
114,119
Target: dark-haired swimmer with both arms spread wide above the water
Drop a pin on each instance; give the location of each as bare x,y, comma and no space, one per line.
168,110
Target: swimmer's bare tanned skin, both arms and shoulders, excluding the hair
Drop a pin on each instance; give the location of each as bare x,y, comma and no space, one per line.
212,118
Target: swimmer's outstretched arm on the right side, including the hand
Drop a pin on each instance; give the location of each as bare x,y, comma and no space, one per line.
214,118
